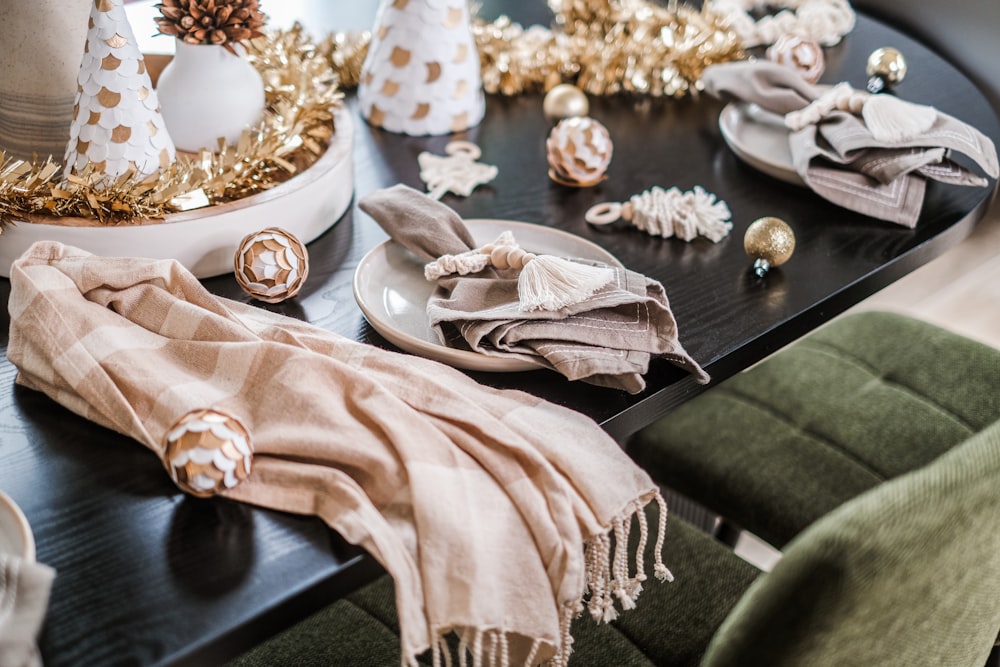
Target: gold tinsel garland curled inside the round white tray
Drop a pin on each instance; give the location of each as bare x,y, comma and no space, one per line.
302,91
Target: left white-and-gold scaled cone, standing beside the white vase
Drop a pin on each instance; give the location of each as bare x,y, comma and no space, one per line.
117,124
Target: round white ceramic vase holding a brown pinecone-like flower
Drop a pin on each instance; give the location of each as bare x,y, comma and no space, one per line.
206,93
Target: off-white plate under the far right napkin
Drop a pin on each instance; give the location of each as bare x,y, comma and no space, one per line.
759,138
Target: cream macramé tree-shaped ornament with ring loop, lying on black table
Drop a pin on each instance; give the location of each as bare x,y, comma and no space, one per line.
666,213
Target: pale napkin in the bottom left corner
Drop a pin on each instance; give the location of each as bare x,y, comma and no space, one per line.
24,598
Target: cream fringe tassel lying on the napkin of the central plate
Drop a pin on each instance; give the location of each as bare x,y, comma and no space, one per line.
548,282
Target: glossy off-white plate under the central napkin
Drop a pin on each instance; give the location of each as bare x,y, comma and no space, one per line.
390,288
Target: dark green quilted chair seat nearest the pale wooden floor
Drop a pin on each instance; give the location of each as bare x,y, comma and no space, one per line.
868,397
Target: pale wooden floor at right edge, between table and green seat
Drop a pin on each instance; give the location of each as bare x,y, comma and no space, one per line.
959,290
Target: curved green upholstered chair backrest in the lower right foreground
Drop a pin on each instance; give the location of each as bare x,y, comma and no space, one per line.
905,574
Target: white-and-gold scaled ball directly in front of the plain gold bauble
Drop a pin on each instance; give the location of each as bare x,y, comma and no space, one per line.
579,151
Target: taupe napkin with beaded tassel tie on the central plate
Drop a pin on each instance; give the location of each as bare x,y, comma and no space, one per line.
601,325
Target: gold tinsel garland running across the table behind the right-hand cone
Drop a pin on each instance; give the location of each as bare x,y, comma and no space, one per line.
605,47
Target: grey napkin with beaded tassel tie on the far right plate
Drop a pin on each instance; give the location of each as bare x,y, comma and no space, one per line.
868,153
